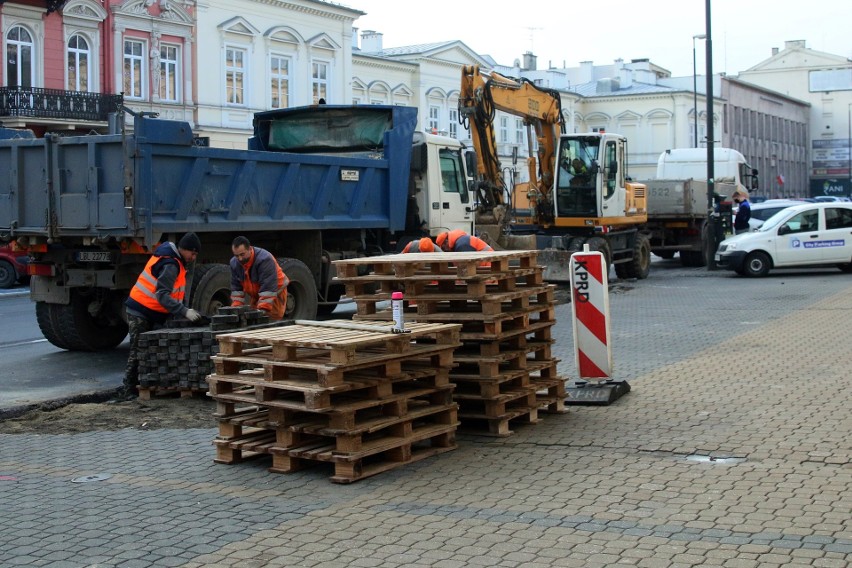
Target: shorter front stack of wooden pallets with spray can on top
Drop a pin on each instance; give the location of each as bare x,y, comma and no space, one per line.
355,395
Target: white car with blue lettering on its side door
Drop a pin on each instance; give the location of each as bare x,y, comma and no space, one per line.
808,234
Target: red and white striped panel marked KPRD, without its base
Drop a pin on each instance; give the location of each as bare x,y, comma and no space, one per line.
590,307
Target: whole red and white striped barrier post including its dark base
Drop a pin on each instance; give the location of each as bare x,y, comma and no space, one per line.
592,345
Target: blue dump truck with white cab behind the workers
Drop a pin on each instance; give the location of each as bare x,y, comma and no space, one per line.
315,184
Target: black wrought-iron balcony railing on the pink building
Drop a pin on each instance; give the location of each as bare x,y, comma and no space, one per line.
57,104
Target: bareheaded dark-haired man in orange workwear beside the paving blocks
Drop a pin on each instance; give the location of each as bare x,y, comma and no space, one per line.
257,280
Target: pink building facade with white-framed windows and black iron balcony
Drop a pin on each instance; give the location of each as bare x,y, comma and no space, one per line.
70,64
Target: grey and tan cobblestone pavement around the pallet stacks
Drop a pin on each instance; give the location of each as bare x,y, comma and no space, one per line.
720,366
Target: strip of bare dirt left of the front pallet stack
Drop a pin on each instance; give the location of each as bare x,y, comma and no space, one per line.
157,413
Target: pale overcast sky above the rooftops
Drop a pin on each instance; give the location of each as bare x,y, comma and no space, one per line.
569,31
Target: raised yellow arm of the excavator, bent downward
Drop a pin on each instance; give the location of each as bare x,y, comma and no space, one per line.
541,109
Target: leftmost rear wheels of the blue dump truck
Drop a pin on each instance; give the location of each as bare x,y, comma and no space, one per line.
91,322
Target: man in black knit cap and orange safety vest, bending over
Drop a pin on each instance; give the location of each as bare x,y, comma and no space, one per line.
157,296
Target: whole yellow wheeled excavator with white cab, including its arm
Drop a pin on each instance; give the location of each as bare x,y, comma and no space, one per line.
578,191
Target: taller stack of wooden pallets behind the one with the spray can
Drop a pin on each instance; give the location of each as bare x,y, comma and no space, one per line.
506,371
